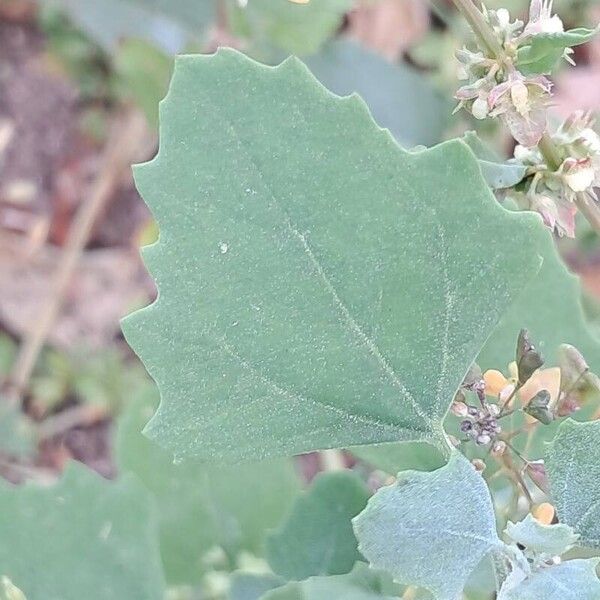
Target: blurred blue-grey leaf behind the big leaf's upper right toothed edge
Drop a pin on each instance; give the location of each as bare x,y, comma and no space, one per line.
400,98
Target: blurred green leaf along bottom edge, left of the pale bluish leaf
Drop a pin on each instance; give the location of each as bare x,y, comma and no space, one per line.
360,584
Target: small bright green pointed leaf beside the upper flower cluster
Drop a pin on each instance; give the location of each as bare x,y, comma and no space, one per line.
546,49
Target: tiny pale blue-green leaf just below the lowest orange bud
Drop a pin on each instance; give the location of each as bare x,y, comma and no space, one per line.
554,540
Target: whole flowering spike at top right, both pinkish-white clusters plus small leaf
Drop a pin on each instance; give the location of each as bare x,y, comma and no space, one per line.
507,78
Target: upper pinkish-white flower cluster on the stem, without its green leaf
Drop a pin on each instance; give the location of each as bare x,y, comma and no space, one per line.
495,87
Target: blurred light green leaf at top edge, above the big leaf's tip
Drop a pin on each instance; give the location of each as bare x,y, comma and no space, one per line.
288,26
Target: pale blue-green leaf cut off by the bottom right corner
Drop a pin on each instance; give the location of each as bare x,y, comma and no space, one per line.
571,580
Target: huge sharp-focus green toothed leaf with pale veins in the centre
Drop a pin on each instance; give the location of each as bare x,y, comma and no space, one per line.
319,286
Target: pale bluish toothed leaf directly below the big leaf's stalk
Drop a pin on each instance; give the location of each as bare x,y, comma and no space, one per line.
430,529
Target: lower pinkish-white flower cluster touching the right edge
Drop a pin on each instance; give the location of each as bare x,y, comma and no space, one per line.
554,193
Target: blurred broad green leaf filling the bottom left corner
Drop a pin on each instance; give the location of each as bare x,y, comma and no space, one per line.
83,537
